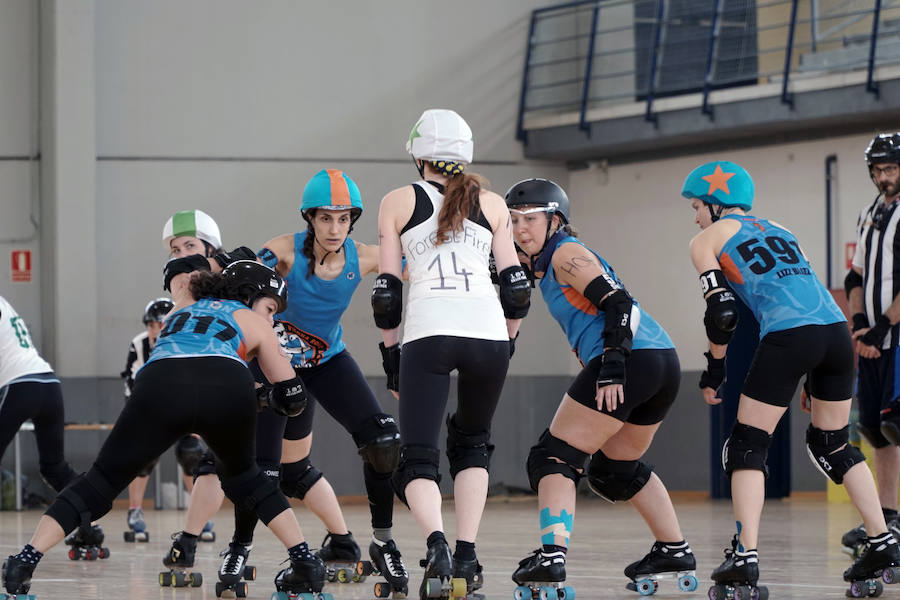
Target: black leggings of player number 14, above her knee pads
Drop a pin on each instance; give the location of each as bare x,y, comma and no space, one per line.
425,368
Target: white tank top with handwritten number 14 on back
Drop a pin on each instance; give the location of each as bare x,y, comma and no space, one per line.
450,289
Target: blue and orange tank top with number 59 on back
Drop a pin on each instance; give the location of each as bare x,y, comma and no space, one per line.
766,269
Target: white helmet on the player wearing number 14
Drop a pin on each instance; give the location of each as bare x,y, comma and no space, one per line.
441,134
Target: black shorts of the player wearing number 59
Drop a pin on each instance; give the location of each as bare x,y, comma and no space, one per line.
825,352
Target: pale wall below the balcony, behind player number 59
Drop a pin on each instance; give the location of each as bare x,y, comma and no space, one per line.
635,217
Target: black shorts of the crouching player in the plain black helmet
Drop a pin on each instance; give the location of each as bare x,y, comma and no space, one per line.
652,378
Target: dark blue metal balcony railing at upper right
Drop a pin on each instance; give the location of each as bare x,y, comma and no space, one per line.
592,54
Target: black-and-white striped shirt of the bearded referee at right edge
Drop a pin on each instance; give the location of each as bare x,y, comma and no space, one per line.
878,255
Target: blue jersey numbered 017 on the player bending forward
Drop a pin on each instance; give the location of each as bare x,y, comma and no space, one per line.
205,328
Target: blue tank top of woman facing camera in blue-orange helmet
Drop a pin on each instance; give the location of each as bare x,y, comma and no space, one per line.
310,328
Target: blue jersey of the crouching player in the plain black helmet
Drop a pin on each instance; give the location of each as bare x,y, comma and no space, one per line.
583,322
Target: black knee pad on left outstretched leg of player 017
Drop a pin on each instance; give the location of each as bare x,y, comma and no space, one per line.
87,498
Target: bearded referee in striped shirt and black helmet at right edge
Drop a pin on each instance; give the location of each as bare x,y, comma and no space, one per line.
873,291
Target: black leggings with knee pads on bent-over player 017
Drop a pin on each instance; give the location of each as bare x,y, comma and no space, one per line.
210,396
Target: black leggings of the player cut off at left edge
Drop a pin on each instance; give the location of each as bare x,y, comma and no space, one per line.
39,398
